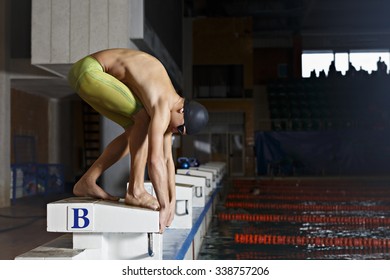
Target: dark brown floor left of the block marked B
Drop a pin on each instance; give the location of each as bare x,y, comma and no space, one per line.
23,226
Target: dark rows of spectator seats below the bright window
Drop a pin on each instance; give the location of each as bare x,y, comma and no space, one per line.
327,103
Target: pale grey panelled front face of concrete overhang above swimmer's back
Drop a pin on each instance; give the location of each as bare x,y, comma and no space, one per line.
63,31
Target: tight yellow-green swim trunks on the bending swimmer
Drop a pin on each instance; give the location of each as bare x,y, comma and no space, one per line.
106,94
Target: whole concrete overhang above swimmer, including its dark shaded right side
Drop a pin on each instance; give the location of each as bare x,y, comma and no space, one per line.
64,31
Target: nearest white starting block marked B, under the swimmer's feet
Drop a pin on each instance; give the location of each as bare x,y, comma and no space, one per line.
101,230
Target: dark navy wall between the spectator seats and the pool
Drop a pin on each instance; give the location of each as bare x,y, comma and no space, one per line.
353,152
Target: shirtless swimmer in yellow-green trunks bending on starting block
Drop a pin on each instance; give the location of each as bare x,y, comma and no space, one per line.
133,89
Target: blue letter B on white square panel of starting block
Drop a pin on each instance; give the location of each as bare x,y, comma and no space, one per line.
80,218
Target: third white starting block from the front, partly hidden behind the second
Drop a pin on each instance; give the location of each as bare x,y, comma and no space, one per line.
199,188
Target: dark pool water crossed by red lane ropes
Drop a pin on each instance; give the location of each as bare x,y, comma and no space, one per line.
346,219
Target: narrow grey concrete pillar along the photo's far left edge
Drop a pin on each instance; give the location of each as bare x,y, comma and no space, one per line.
5,105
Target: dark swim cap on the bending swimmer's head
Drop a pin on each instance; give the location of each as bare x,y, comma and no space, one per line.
195,116
